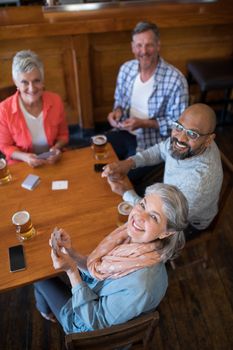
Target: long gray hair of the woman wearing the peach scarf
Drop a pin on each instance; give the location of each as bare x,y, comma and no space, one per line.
175,208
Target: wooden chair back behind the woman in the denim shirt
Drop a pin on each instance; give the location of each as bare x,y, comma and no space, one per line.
137,332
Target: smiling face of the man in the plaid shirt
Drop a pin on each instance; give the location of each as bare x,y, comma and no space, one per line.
146,49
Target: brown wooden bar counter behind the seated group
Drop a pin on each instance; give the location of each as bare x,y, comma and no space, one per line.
83,48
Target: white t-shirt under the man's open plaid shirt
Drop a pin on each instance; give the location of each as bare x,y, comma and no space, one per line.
140,96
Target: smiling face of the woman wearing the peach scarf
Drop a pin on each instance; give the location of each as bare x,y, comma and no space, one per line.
147,221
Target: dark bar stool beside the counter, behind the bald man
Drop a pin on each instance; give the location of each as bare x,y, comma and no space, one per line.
213,74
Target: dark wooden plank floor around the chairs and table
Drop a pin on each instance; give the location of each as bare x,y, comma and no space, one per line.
196,313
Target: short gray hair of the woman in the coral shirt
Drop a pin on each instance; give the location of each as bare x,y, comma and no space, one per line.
25,61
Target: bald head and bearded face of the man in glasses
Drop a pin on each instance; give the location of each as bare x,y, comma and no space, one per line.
199,118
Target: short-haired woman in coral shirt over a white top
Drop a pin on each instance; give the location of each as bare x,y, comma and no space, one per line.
32,121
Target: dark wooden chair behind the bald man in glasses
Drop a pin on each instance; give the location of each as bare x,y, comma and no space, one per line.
207,238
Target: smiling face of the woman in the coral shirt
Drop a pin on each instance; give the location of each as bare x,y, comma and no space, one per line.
30,86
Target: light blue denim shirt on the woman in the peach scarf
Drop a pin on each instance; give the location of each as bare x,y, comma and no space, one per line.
98,304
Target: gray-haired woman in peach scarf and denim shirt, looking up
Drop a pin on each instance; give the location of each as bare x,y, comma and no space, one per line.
125,275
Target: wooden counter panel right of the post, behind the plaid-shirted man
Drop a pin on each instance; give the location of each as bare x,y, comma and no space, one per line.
179,46
